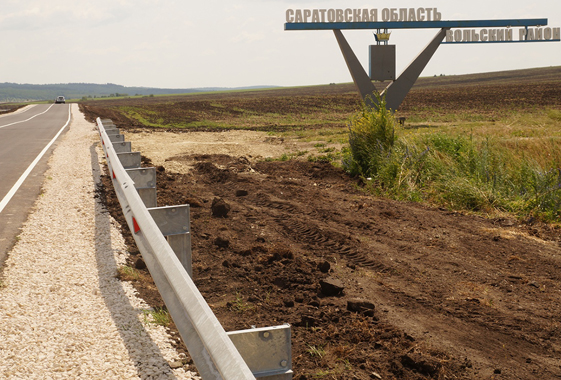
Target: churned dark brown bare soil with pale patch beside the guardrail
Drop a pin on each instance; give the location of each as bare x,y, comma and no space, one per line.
444,295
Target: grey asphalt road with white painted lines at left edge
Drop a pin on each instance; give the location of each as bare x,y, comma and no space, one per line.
24,136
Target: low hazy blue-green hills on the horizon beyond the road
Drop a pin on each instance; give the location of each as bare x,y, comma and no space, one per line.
14,92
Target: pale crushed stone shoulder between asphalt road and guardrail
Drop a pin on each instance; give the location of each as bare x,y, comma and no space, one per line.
63,312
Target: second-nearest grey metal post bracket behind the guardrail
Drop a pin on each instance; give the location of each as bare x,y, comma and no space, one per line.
175,224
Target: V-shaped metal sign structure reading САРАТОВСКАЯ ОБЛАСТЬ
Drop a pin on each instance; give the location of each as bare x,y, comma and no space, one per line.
382,55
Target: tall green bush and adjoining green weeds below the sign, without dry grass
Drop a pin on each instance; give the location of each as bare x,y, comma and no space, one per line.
455,171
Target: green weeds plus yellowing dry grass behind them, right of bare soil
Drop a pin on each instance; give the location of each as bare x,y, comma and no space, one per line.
508,165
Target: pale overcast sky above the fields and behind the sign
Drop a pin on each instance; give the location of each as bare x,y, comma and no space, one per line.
219,43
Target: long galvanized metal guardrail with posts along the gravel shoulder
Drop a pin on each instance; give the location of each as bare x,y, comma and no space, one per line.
247,354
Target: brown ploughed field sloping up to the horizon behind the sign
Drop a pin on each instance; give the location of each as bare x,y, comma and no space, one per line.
316,107
